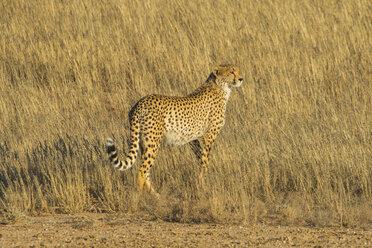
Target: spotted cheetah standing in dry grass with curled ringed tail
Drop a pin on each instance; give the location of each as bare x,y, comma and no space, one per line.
177,120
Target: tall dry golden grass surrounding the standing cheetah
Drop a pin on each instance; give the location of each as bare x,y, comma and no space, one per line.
297,144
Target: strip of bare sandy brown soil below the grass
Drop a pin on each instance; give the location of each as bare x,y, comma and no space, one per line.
125,230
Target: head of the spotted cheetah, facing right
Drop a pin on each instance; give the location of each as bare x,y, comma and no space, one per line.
227,75
